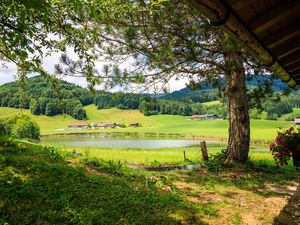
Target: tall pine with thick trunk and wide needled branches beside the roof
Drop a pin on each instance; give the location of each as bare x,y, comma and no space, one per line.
166,40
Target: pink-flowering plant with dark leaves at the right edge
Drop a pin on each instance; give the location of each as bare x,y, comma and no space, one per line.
284,144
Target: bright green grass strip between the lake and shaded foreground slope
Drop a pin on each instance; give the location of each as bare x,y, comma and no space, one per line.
160,155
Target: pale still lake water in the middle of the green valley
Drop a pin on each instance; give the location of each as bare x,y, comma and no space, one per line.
118,140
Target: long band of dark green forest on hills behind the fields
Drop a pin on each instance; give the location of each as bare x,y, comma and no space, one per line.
42,99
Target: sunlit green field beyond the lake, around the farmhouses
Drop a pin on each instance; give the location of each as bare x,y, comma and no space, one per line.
166,124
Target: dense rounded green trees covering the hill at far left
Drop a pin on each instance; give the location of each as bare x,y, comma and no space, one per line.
41,98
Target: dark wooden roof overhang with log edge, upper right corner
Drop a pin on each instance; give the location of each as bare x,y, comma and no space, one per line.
269,28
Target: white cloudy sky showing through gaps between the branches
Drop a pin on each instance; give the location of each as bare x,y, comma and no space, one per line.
8,73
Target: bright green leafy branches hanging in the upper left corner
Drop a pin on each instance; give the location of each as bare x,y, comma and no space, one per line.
25,27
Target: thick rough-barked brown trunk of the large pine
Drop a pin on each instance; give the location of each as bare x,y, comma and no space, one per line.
238,115
